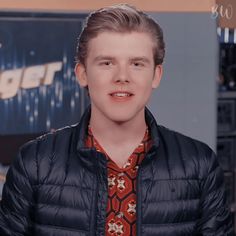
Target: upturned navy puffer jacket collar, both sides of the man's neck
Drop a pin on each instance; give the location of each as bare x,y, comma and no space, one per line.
82,128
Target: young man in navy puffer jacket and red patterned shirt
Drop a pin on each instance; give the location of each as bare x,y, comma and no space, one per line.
117,172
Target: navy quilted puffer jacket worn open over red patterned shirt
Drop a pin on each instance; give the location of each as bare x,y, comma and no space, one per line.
58,187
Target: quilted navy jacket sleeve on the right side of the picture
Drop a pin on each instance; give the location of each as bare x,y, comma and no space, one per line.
215,218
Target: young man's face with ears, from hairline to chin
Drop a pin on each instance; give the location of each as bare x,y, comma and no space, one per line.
120,75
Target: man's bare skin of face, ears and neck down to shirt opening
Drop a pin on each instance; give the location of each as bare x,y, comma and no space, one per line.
119,62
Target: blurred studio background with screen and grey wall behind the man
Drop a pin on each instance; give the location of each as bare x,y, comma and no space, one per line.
197,96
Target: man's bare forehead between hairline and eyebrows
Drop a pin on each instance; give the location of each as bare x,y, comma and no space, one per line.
121,45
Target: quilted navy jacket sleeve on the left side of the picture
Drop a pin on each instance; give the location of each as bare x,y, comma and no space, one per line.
17,198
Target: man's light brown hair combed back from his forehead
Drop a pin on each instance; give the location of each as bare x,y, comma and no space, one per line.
121,18
